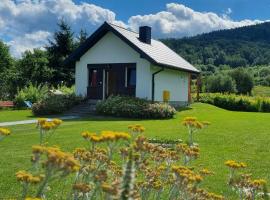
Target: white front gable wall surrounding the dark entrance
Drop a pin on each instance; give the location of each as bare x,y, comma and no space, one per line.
111,49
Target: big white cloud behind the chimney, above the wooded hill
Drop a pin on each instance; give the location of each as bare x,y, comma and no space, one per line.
179,20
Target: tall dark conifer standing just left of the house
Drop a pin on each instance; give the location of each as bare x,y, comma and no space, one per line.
58,50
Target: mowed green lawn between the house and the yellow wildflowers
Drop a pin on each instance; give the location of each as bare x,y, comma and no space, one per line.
232,135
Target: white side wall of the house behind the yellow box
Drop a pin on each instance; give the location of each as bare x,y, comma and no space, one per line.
172,80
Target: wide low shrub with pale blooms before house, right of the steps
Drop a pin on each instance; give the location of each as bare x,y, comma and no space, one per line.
124,106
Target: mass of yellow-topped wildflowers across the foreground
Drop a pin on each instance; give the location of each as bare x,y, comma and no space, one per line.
146,171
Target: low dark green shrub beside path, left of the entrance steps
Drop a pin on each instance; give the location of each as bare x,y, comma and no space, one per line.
55,104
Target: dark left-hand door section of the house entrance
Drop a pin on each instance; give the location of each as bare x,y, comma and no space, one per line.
95,85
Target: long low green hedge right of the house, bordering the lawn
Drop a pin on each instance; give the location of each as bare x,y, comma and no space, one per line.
237,102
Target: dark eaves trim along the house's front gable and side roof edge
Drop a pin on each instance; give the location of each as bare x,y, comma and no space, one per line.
99,33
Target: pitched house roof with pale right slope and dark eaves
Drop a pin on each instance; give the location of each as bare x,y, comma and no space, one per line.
157,53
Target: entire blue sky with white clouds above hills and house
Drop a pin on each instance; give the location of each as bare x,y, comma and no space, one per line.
28,24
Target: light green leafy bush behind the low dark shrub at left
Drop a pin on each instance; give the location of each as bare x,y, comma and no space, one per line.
32,93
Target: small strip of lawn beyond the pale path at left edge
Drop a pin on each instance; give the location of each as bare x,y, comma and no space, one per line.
15,115
